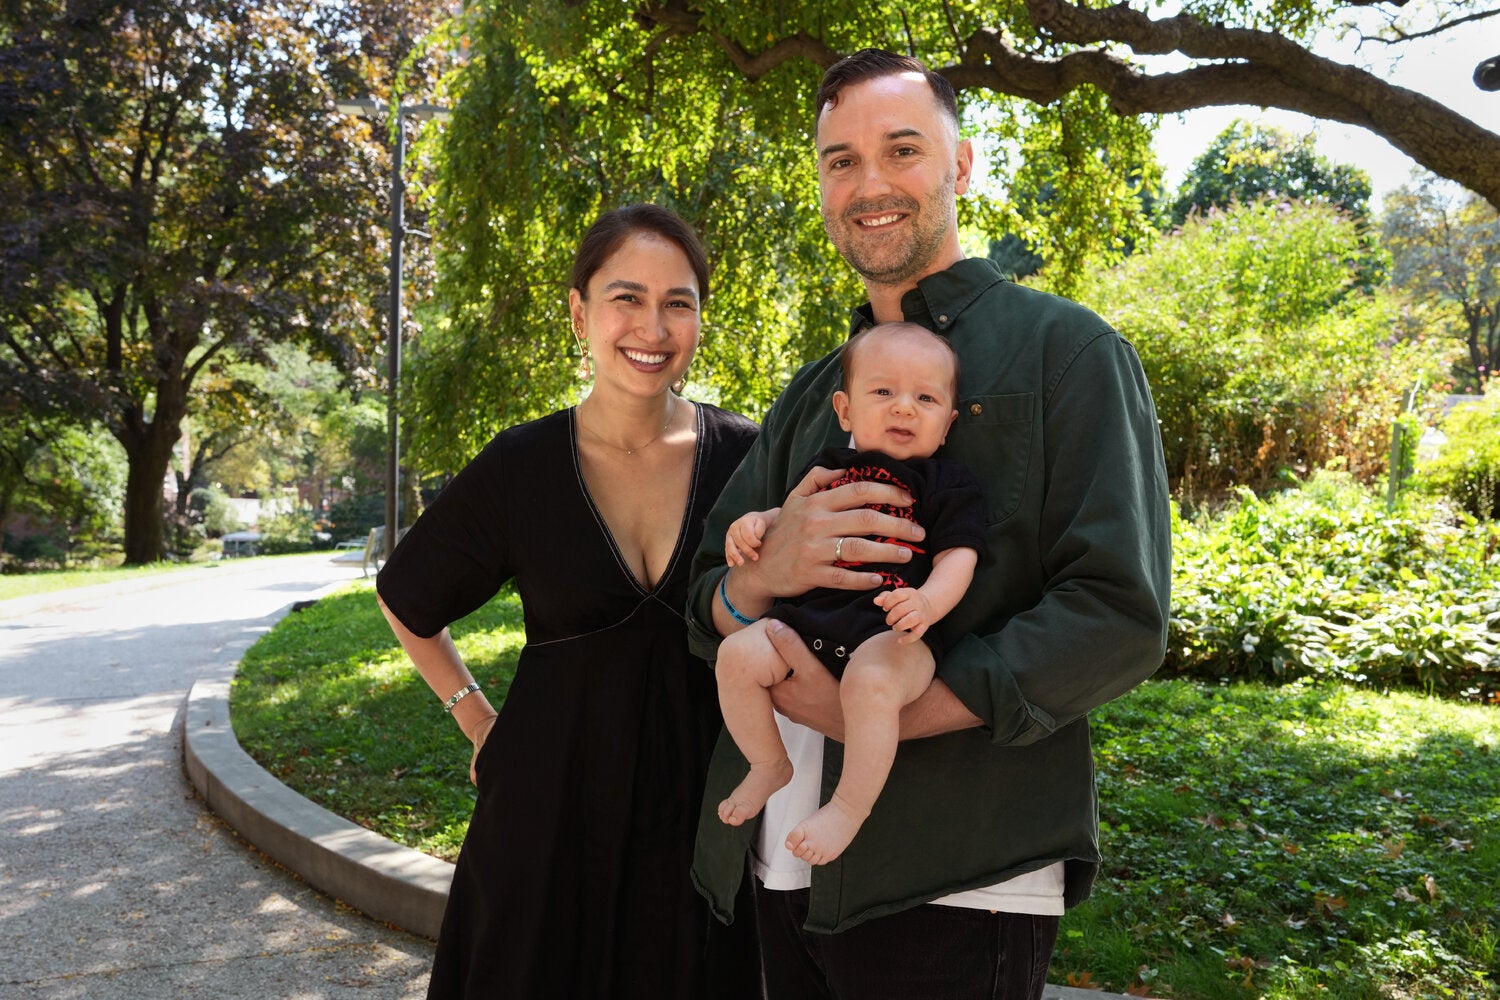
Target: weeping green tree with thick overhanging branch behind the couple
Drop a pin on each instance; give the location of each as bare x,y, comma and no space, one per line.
566,110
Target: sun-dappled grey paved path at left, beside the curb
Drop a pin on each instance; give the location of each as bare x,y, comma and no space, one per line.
115,881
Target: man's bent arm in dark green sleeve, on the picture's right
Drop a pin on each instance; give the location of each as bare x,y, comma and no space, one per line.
1103,560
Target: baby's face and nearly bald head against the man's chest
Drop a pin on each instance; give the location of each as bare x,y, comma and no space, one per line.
901,397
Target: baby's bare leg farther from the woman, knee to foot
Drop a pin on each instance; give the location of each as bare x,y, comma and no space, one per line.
881,678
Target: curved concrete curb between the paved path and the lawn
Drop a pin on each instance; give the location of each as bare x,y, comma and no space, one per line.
379,878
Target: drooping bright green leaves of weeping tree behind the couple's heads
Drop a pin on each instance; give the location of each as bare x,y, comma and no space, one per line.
565,112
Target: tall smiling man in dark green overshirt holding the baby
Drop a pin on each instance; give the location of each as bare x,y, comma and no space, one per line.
988,827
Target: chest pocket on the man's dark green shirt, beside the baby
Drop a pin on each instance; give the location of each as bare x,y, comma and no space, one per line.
994,437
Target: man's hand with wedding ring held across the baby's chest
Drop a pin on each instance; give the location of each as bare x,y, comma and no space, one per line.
818,534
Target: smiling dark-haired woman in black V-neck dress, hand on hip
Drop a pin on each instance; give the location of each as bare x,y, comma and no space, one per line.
574,881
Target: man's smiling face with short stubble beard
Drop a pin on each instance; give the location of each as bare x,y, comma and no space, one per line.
890,167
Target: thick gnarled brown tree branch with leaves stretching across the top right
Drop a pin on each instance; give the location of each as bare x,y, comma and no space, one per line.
1043,50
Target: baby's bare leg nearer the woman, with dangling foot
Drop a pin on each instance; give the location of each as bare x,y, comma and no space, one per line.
748,666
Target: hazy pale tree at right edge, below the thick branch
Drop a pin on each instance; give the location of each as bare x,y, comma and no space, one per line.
1445,248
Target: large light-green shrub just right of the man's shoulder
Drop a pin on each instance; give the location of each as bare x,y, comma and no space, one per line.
1261,352
